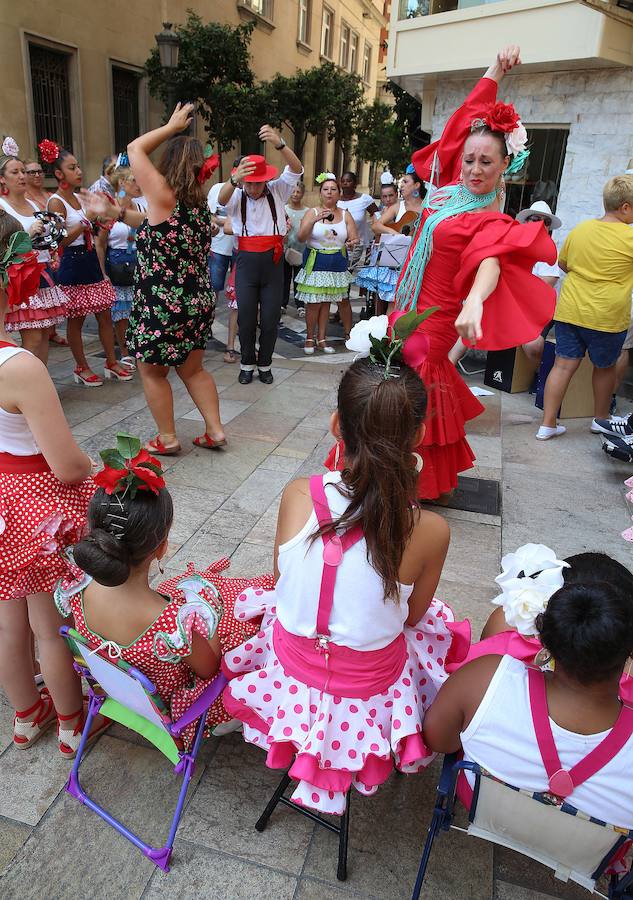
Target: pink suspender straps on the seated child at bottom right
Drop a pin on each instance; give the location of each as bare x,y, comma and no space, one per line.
563,782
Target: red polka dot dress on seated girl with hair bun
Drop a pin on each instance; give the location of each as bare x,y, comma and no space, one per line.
193,603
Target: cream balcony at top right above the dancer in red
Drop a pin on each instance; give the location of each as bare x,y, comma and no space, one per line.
461,37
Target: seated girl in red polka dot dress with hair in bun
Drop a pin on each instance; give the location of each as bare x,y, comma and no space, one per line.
175,635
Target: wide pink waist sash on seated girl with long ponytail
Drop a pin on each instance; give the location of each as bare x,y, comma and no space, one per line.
341,671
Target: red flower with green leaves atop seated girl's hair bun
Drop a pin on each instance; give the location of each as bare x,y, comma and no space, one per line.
129,468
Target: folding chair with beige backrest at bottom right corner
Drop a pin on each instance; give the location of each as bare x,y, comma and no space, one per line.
574,845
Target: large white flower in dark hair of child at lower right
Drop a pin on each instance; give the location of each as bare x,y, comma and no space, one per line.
529,578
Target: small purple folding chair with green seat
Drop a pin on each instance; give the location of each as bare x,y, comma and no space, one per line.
128,697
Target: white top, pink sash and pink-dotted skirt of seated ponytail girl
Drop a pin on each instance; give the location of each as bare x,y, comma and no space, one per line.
344,704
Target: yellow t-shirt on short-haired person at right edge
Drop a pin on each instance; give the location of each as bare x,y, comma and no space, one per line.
596,292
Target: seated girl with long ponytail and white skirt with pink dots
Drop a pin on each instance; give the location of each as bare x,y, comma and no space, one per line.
352,646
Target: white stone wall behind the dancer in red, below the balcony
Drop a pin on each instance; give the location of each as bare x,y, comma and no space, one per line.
597,106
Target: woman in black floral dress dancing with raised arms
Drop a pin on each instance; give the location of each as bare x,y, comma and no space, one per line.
173,307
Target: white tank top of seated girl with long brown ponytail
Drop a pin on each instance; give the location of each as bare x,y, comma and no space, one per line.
361,617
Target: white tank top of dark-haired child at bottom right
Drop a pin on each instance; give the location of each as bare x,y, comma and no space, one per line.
501,738
